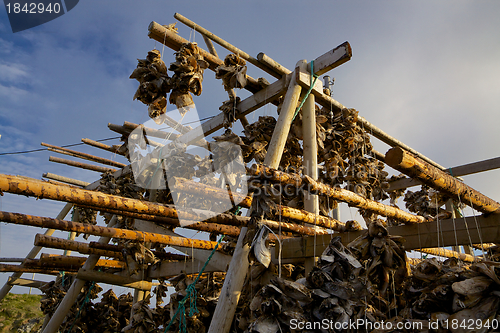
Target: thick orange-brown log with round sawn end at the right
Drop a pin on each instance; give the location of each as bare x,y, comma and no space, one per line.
439,180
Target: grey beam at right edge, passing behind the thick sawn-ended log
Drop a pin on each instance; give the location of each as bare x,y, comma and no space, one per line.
462,170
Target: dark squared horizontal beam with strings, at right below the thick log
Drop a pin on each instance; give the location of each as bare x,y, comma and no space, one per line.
417,236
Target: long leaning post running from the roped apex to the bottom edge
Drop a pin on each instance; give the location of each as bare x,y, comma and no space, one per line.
238,268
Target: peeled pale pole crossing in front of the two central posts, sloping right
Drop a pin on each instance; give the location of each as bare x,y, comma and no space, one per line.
353,199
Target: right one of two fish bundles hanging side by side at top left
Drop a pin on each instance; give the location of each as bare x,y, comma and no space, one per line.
188,68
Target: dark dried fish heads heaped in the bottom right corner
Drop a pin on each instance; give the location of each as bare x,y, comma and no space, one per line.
454,292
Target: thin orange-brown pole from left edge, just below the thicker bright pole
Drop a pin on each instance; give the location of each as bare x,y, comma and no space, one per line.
45,222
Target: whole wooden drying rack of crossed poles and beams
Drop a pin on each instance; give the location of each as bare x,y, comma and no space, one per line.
418,231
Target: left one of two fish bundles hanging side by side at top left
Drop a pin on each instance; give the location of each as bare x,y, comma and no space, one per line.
154,83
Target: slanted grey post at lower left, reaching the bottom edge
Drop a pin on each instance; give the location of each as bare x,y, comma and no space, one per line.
75,289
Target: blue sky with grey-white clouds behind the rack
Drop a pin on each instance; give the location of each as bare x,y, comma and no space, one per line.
426,72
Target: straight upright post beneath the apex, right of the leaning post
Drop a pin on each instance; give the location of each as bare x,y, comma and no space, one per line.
310,162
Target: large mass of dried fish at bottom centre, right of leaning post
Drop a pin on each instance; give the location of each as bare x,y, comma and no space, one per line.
348,283
